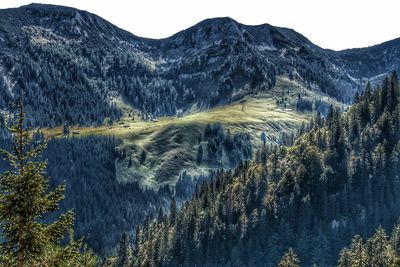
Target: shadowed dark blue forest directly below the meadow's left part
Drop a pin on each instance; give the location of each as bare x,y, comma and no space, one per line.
102,205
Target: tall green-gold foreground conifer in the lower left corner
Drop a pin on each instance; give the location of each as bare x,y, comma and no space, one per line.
25,200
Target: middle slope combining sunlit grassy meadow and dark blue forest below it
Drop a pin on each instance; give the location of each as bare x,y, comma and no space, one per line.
108,182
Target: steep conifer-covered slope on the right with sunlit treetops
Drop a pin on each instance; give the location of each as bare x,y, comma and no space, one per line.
338,179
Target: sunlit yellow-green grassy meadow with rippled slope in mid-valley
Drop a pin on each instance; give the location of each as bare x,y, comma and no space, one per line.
171,143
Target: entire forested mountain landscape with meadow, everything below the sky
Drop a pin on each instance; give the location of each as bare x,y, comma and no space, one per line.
222,145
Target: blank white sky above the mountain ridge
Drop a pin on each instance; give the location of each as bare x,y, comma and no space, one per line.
337,24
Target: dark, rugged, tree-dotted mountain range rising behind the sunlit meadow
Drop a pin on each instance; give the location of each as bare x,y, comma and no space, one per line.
74,66
